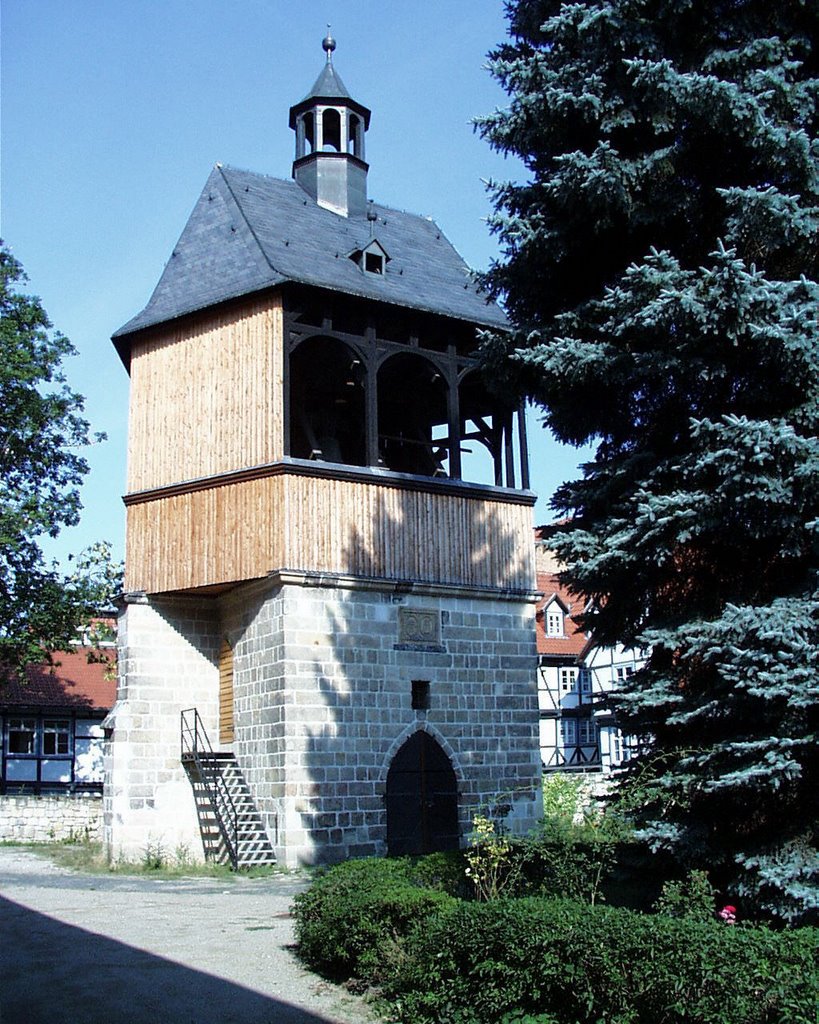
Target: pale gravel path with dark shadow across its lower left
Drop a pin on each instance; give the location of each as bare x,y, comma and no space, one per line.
79,949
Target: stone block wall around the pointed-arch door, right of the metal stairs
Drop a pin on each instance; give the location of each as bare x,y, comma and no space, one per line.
323,682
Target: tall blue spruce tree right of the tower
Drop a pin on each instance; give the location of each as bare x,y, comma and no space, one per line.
660,266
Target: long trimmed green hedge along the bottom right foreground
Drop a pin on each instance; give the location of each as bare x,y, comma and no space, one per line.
567,963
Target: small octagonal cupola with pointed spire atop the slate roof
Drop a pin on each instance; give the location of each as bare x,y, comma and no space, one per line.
330,129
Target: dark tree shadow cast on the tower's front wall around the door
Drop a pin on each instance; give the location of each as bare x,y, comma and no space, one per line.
408,544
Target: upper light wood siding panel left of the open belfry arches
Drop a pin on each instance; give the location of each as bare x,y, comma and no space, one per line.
207,397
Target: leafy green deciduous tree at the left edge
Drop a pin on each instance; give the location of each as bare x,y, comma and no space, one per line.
42,435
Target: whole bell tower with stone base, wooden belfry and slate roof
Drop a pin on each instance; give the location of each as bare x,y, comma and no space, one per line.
330,561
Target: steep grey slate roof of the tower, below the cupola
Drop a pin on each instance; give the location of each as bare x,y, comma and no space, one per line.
250,232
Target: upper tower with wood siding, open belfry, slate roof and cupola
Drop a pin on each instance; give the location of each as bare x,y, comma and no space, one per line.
304,390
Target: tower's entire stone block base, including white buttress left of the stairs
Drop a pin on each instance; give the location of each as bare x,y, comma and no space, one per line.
331,678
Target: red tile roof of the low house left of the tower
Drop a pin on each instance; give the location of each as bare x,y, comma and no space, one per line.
72,682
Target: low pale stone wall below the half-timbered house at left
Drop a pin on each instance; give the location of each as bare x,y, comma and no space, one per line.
50,820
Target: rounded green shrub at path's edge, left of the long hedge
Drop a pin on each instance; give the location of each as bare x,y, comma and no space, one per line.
356,917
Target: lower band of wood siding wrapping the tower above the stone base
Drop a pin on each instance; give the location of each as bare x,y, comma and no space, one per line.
244,530
